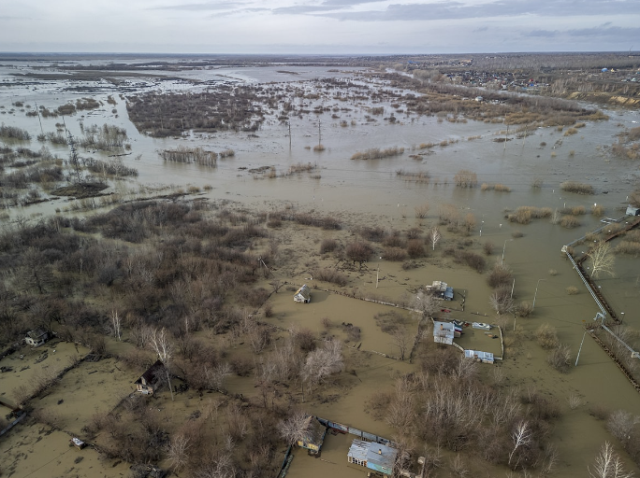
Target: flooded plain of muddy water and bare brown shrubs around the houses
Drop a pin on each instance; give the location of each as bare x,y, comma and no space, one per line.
202,224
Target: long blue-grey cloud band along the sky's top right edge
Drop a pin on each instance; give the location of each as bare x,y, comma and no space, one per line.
452,10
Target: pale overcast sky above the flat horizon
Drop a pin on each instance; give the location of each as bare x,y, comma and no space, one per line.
318,26
